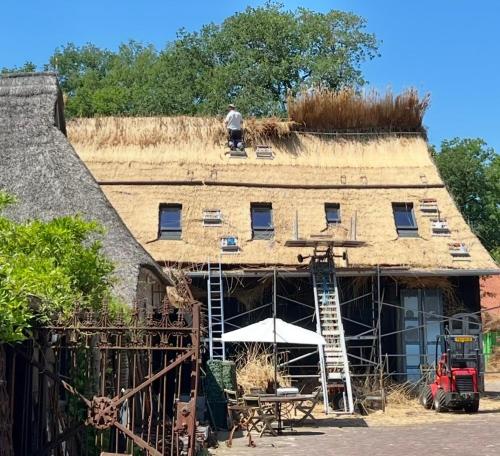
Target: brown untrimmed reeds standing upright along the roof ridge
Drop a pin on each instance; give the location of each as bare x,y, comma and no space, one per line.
348,110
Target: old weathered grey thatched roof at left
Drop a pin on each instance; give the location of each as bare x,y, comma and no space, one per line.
39,166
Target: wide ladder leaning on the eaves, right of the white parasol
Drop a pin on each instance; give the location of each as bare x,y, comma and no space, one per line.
334,363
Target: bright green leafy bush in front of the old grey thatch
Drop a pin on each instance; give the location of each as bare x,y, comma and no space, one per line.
46,268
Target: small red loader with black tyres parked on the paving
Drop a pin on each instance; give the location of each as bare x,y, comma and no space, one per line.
456,386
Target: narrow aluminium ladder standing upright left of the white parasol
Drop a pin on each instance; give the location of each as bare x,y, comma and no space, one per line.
216,312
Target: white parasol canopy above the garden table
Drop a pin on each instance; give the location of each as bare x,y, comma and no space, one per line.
286,333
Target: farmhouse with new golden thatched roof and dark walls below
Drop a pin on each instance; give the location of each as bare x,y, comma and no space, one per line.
407,265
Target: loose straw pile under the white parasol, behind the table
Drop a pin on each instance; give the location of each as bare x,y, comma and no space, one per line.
255,369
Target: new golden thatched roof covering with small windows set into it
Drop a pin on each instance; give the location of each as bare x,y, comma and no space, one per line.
184,160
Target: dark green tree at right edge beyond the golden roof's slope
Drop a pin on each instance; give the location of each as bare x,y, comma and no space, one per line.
471,171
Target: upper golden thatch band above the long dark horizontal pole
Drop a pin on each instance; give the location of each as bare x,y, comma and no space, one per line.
182,148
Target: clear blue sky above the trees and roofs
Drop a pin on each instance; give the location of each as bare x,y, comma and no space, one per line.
449,48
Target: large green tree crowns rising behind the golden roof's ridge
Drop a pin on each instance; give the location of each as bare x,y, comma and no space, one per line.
254,58
